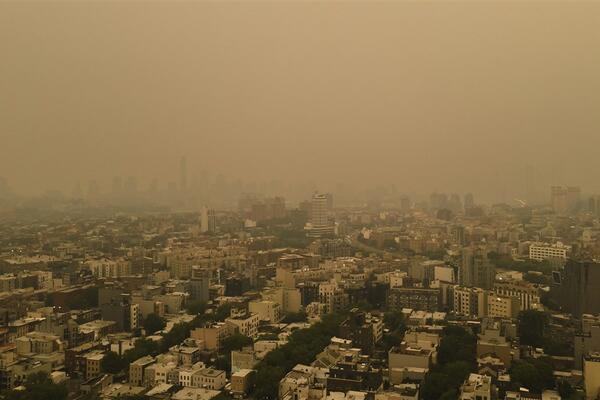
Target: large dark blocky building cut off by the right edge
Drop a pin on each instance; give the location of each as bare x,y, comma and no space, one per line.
579,288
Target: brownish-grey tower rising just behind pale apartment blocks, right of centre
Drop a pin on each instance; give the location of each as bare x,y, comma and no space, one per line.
476,269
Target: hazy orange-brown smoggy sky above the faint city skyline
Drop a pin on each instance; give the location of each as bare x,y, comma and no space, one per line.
455,96
